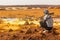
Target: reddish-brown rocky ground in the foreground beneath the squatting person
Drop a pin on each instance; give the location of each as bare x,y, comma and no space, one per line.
31,34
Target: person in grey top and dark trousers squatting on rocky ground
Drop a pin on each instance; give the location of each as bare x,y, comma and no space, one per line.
46,21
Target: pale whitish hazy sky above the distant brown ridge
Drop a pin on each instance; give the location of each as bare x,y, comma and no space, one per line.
29,2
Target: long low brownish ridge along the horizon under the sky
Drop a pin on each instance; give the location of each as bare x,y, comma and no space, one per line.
44,6
